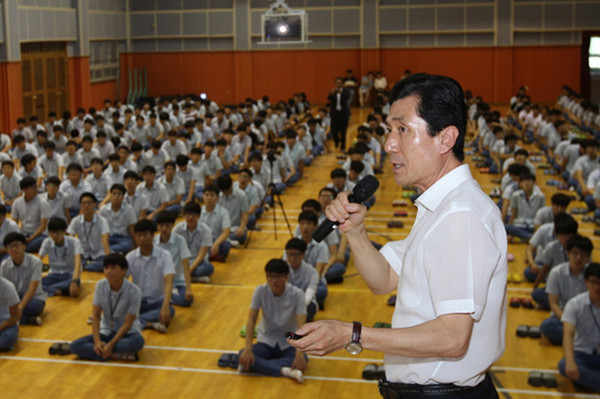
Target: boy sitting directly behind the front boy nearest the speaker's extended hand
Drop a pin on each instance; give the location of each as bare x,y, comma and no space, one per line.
302,275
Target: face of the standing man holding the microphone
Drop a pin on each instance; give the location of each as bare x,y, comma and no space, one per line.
414,154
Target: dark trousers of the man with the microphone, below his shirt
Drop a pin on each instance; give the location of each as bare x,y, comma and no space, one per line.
484,390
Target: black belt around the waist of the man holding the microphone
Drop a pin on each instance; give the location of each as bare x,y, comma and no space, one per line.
396,390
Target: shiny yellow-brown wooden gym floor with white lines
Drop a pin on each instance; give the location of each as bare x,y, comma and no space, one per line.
184,361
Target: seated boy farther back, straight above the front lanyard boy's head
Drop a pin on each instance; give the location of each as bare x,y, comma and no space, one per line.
121,218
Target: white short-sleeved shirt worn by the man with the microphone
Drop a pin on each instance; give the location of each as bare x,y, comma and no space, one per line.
453,261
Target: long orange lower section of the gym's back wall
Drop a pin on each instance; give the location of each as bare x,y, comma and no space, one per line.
492,72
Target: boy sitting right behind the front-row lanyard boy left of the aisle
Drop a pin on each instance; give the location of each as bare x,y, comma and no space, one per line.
151,268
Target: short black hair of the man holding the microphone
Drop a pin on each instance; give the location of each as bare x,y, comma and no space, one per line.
441,104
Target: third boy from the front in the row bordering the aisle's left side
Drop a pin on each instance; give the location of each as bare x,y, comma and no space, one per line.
177,247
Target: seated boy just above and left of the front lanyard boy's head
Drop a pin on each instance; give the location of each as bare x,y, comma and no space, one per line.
92,230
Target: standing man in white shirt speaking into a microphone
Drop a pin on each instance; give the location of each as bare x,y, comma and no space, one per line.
450,272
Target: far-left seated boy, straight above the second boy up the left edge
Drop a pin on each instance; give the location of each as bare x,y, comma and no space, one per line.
32,212
